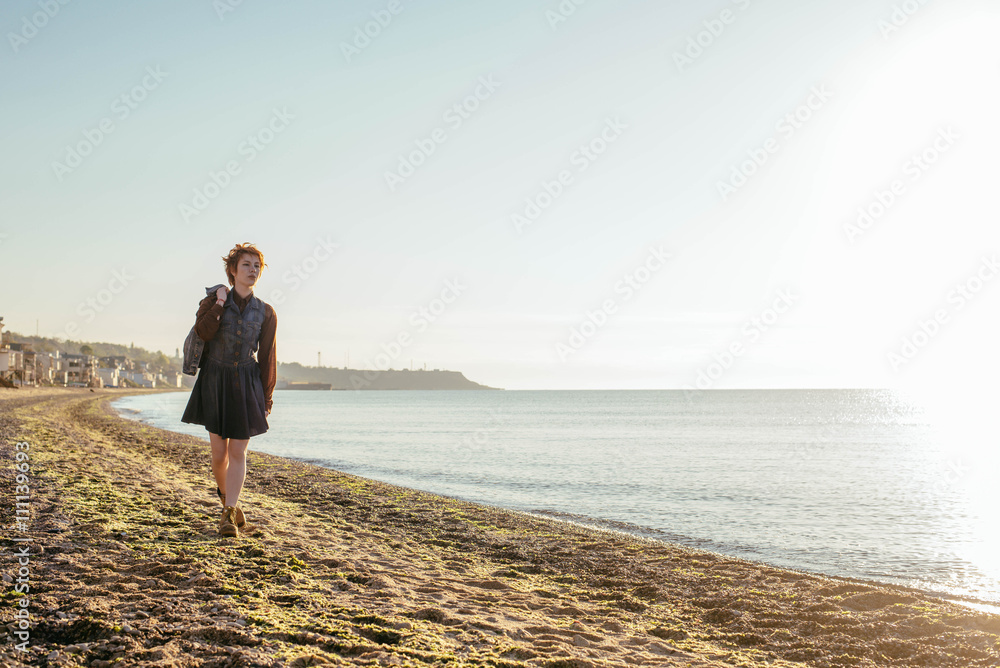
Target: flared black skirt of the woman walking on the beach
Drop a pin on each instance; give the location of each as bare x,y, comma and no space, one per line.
228,400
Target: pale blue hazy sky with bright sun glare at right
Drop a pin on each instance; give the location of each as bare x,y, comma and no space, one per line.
541,194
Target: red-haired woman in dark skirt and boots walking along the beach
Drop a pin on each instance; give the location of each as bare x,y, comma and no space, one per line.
232,394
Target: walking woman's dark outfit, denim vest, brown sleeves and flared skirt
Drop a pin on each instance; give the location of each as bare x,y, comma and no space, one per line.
229,397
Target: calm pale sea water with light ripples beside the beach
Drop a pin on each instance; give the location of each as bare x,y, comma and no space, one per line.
856,483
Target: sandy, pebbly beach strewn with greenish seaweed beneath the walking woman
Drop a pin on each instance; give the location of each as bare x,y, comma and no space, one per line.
127,569
